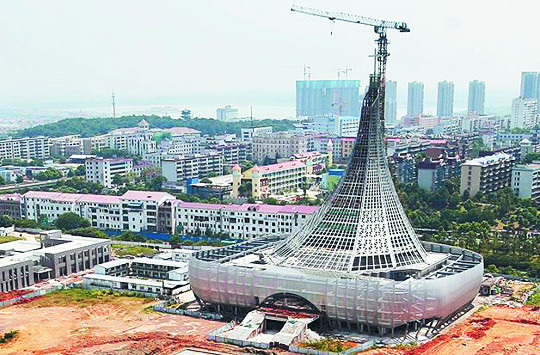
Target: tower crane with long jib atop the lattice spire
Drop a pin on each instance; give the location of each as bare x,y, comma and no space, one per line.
379,26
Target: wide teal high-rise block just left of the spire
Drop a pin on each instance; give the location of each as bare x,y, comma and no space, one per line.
327,97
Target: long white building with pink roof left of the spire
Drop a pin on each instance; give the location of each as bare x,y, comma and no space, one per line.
159,211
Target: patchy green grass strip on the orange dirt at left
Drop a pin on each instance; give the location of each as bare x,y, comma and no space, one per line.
81,297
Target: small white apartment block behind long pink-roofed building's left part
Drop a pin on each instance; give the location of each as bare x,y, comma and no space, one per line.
103,170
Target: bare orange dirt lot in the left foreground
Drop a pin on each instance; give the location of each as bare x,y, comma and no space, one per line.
119,326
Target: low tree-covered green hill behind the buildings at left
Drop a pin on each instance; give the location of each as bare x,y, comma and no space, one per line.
96,126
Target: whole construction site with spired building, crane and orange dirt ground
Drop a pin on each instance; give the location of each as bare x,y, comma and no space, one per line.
356,274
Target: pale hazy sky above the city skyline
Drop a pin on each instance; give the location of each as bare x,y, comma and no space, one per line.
206,54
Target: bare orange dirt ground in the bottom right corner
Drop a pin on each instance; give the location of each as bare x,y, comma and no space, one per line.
496,330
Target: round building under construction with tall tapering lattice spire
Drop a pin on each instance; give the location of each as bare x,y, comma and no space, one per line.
358,261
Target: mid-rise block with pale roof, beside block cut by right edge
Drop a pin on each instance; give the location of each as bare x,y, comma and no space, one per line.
487,174
